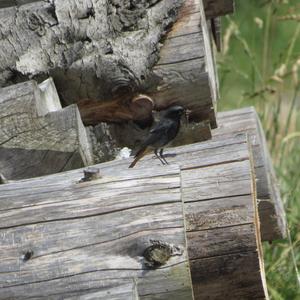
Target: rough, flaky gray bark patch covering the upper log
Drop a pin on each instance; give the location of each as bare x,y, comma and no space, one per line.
92,49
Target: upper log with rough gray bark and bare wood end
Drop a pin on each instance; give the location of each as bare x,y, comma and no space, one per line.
87,47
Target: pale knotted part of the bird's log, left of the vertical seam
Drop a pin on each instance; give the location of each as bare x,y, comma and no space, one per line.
66,239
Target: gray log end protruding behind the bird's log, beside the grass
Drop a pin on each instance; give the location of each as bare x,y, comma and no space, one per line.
272,215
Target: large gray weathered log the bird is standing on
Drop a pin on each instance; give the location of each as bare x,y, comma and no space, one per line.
221,220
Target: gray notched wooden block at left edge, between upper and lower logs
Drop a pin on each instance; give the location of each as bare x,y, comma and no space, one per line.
37,136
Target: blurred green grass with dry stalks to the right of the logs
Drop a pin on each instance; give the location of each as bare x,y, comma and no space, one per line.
260,66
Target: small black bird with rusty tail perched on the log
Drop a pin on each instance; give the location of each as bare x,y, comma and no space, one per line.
161,134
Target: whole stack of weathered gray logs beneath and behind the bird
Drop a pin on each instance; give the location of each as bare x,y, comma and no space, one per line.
192,229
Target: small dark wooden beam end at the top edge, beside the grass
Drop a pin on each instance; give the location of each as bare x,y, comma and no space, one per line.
216,8
